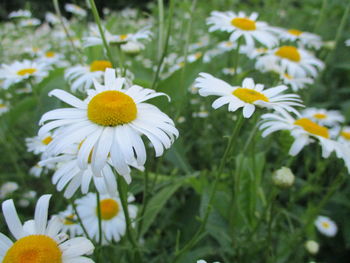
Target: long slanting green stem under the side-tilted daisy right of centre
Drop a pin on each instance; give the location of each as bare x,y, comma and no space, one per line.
199,234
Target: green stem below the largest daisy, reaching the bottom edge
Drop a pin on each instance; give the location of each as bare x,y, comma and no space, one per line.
123,192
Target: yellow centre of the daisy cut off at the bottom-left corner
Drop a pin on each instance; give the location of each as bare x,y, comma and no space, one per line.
34,249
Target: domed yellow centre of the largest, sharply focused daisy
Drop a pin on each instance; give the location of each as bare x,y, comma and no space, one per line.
112,108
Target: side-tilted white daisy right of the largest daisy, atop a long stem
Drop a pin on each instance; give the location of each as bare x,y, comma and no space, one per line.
247,97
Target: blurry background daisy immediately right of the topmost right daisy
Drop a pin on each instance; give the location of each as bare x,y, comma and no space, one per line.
304,39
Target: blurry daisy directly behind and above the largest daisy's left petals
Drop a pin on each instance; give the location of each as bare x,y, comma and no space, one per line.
81,77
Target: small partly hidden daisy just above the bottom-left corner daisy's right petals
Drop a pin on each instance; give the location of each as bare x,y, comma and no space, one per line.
70,223
